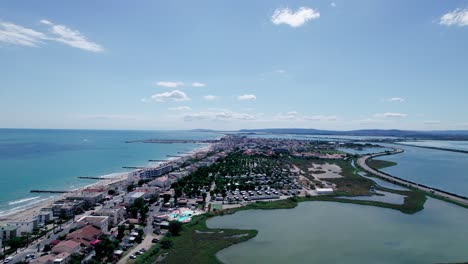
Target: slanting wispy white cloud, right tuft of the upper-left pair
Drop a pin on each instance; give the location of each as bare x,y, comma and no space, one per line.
71,37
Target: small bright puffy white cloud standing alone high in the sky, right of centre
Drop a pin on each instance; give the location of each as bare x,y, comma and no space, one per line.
294,19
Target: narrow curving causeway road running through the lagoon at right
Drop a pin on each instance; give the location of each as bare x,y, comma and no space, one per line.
362,161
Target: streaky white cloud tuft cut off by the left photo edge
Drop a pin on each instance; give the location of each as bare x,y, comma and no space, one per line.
18,35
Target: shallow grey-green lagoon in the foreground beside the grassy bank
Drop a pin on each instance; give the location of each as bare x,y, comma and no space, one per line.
326,232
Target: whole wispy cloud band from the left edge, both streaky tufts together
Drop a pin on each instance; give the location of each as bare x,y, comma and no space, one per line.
18,35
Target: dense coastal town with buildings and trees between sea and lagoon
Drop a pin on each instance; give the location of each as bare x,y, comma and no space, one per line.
123,219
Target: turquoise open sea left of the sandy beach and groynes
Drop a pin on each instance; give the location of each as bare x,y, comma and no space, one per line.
53,159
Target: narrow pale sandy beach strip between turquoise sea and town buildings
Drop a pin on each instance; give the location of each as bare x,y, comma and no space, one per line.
31,210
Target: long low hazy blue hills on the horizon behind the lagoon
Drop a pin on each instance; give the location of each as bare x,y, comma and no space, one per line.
441,134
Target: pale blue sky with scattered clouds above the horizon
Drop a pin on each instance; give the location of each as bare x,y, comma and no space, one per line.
234,64
